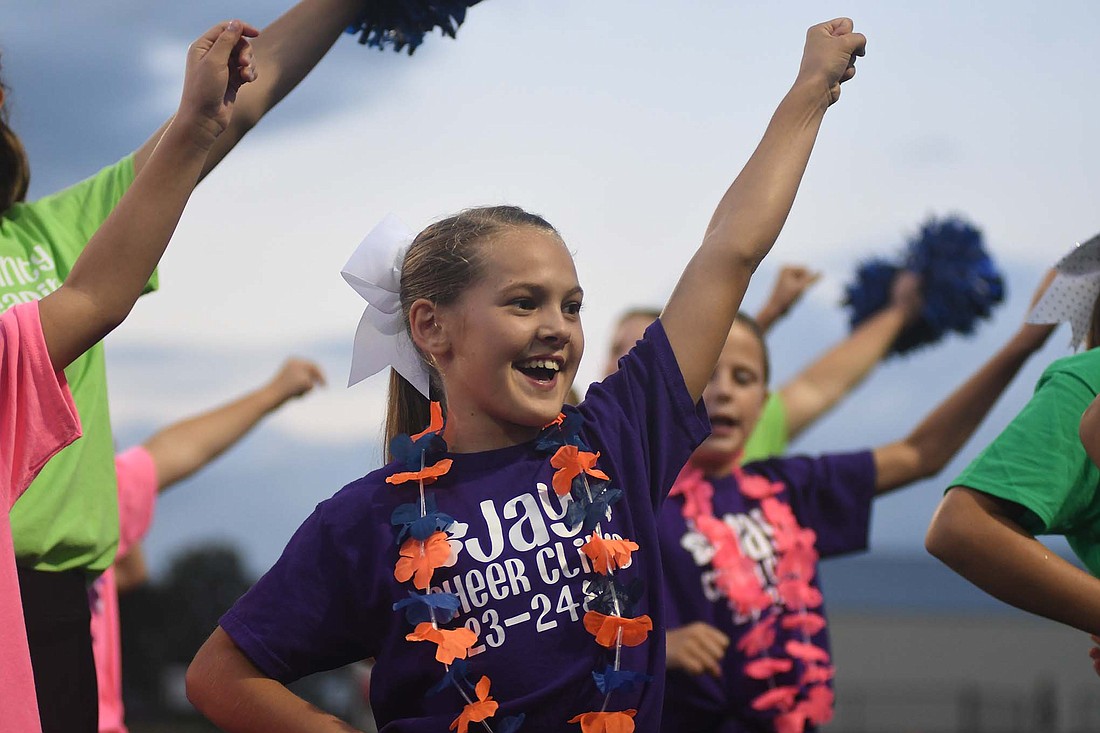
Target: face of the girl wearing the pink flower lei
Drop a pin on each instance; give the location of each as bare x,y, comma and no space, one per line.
734,399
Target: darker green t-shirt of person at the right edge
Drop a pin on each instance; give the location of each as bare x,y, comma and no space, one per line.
1040,464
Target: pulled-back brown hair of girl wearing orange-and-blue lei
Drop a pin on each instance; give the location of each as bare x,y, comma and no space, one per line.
442,262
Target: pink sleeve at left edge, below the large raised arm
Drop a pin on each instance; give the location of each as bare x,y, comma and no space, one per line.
38,417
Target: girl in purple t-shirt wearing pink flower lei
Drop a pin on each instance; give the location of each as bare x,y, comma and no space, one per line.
747,644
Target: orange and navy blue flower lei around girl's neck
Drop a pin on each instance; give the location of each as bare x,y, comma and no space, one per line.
423,537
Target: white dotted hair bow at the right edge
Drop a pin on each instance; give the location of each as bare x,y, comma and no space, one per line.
1073,293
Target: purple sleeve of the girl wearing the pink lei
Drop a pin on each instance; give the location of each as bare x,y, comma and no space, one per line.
832,495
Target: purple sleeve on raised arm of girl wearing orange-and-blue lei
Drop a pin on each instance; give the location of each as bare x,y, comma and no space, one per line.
645,417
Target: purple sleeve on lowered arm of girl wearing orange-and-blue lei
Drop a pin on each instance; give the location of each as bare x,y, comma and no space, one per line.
320,607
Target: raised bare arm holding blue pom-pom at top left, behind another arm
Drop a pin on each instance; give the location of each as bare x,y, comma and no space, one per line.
287,51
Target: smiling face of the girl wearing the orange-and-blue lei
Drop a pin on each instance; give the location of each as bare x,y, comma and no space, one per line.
512,343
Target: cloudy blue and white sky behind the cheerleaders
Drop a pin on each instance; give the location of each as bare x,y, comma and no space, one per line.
622,124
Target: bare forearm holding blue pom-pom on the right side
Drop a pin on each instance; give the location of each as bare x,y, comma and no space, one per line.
815,391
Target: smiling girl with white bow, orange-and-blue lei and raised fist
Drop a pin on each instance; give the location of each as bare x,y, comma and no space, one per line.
504,570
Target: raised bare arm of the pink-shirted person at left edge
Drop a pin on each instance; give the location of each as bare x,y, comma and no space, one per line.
113,270
